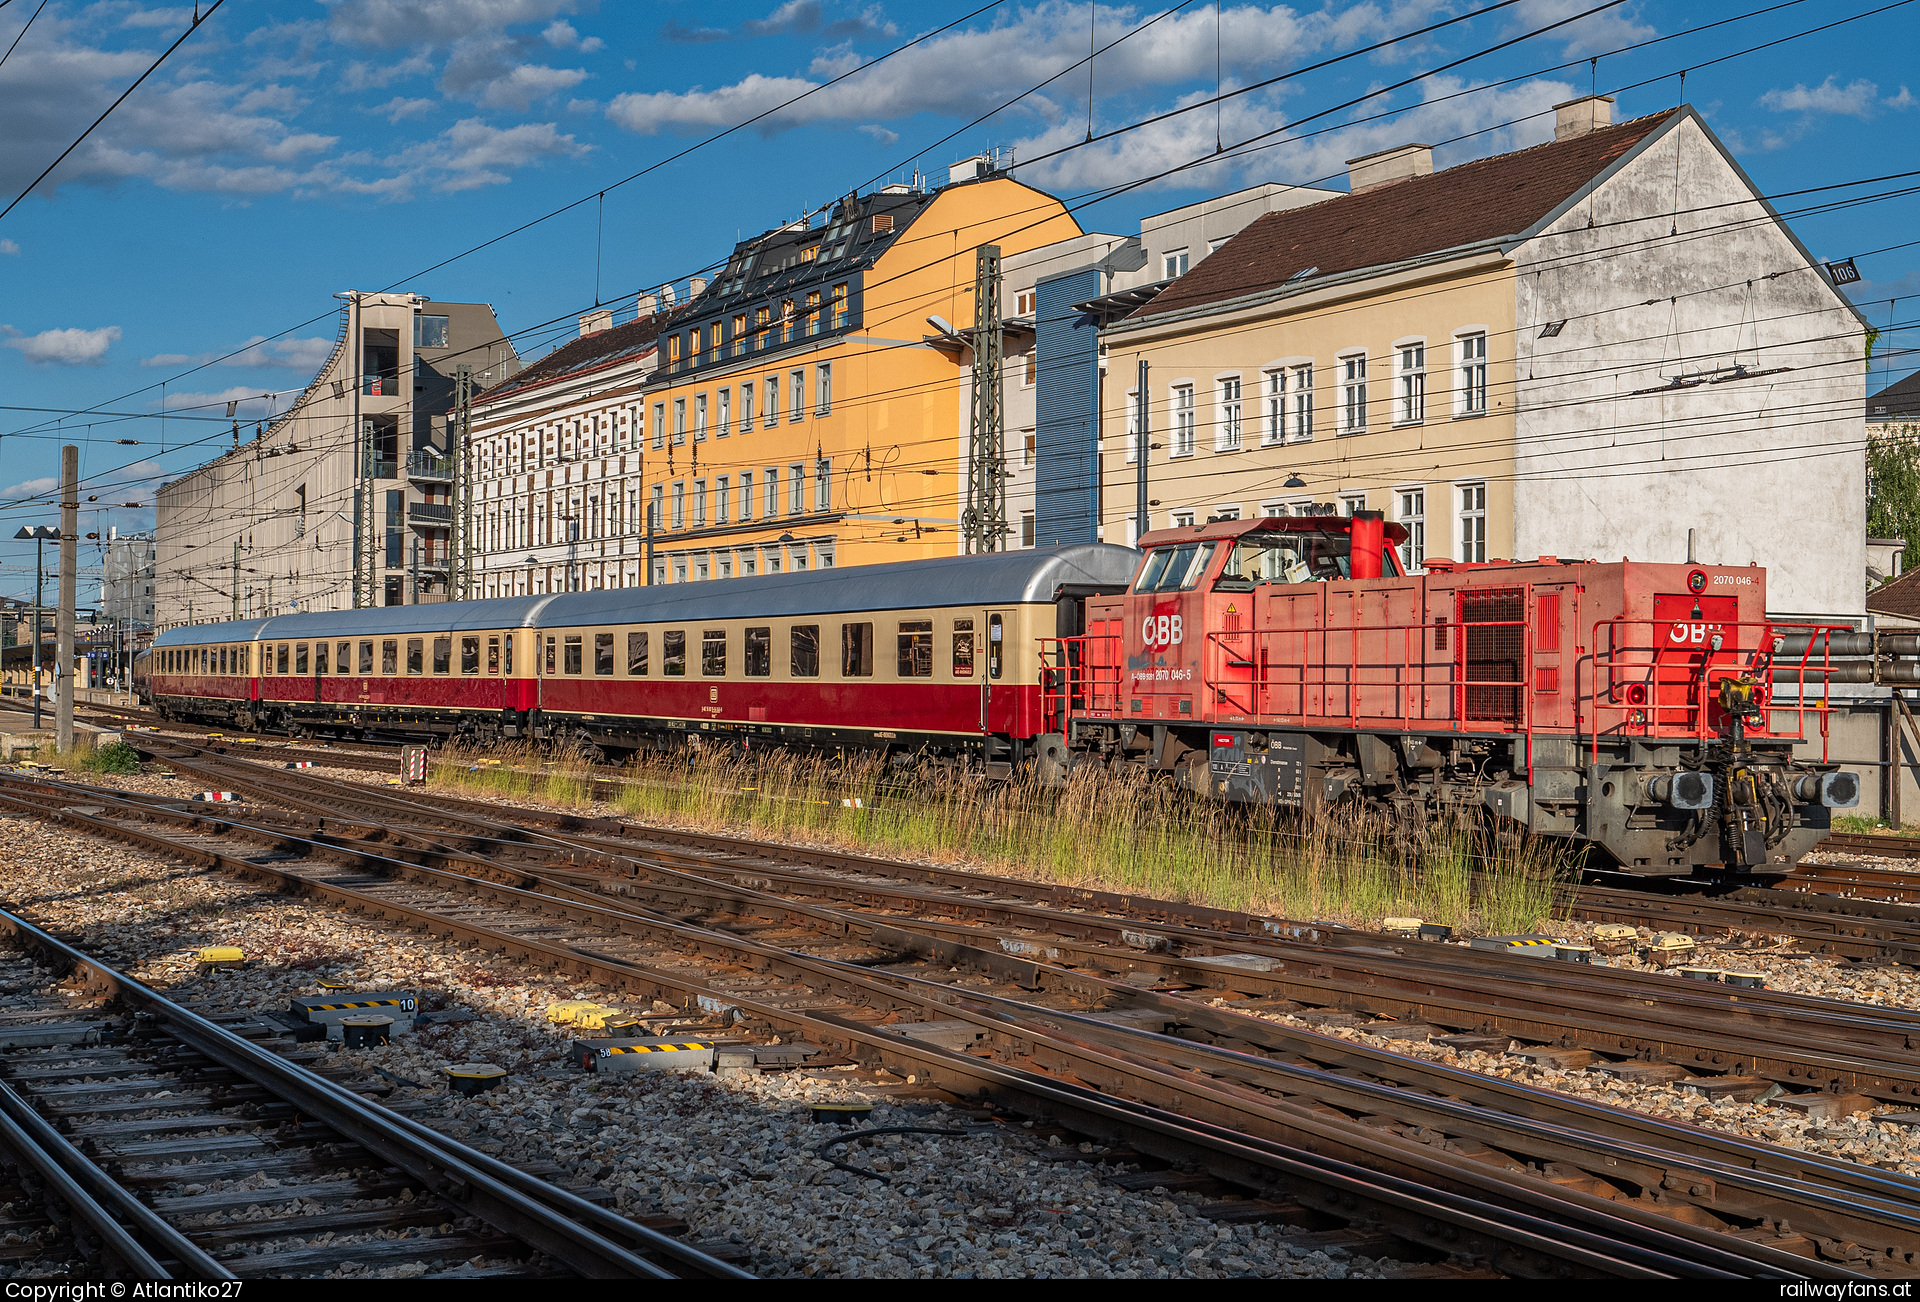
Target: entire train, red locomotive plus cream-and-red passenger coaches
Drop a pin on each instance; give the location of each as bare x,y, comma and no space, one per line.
1648,711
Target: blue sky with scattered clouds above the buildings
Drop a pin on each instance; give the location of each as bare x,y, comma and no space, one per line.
293,149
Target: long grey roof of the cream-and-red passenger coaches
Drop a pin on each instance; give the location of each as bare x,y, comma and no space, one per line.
997,579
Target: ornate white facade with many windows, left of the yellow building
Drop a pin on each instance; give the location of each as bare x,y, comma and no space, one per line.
588,433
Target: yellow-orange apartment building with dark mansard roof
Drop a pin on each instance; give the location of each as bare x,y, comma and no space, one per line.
805,412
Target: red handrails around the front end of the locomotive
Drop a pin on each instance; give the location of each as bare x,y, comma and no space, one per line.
1717,663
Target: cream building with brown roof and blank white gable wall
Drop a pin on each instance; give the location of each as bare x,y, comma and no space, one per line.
1600,347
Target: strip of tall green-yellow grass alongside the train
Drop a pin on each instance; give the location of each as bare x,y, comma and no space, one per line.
1116,831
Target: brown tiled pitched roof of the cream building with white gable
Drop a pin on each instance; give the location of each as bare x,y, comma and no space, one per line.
1404,220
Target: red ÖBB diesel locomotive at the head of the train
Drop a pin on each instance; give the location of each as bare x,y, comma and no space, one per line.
1648,710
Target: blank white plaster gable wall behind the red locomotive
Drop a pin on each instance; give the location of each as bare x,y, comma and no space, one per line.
1764,471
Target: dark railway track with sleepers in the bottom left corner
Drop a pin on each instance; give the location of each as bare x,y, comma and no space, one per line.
114,1109
